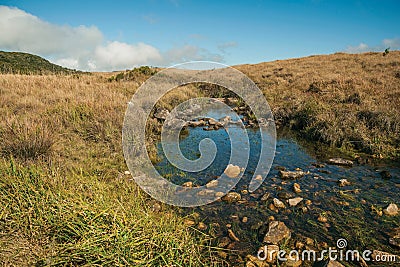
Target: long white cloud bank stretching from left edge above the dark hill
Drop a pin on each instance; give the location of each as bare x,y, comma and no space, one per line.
83,47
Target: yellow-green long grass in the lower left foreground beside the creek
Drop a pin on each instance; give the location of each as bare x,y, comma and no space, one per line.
48,219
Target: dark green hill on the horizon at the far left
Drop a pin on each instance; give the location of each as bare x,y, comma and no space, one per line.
24,63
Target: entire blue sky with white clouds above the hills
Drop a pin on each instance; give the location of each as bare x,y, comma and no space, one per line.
117,35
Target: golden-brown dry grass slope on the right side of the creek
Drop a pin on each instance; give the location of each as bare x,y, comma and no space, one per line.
344,100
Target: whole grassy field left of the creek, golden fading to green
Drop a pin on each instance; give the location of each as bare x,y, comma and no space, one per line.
63,196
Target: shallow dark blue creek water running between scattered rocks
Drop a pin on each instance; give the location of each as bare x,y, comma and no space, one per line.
351,211
